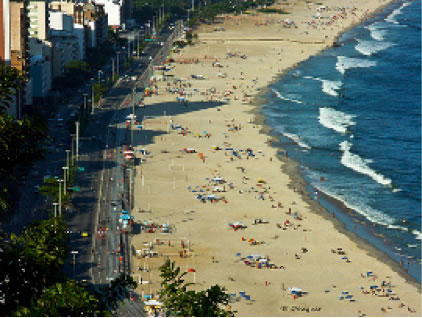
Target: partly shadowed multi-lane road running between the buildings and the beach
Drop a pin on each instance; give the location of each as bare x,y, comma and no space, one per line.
100,179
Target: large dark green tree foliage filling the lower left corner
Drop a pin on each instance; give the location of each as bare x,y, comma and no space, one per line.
29,262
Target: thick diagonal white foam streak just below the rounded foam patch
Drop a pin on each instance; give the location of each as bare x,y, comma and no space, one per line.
358,164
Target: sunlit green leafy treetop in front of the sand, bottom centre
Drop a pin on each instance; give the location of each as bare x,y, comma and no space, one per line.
181,301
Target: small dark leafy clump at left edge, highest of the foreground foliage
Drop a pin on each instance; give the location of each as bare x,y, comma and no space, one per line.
10,81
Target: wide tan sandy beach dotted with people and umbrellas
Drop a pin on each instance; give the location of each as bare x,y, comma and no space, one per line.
212,177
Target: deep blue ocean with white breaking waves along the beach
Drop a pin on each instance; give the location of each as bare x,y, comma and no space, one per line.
351,118
